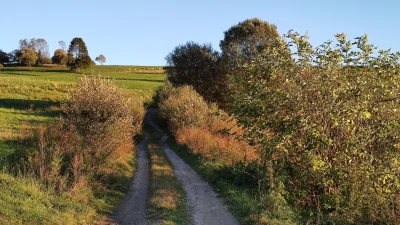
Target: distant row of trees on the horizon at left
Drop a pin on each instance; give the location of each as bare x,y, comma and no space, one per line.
36,52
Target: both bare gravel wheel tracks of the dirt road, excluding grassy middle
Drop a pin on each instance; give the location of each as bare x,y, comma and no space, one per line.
204,206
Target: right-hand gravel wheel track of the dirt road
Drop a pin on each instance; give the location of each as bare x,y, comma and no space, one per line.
204,207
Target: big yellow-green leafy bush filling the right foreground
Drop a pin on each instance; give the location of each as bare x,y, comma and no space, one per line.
327,121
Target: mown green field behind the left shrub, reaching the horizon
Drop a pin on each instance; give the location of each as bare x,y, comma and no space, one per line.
30,96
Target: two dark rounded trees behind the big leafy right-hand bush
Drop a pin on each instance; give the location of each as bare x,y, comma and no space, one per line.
208,71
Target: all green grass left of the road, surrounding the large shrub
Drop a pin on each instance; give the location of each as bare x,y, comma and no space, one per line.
33,96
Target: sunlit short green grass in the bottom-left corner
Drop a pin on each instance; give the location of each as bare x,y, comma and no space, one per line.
25,201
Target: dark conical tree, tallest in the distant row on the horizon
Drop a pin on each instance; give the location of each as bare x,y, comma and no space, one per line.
78,55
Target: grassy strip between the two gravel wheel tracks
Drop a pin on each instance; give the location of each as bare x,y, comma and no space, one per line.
166,204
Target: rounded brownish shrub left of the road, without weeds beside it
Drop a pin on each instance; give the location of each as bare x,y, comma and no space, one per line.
102,117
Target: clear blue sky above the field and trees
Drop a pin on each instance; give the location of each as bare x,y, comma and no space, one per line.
131,32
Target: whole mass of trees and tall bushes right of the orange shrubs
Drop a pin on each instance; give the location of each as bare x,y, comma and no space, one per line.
325,119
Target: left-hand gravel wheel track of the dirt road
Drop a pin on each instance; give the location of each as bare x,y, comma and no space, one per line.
132,209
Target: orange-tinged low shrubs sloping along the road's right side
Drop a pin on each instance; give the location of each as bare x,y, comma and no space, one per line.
203,128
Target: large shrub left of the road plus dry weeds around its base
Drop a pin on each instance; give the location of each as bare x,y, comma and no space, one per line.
93,139
